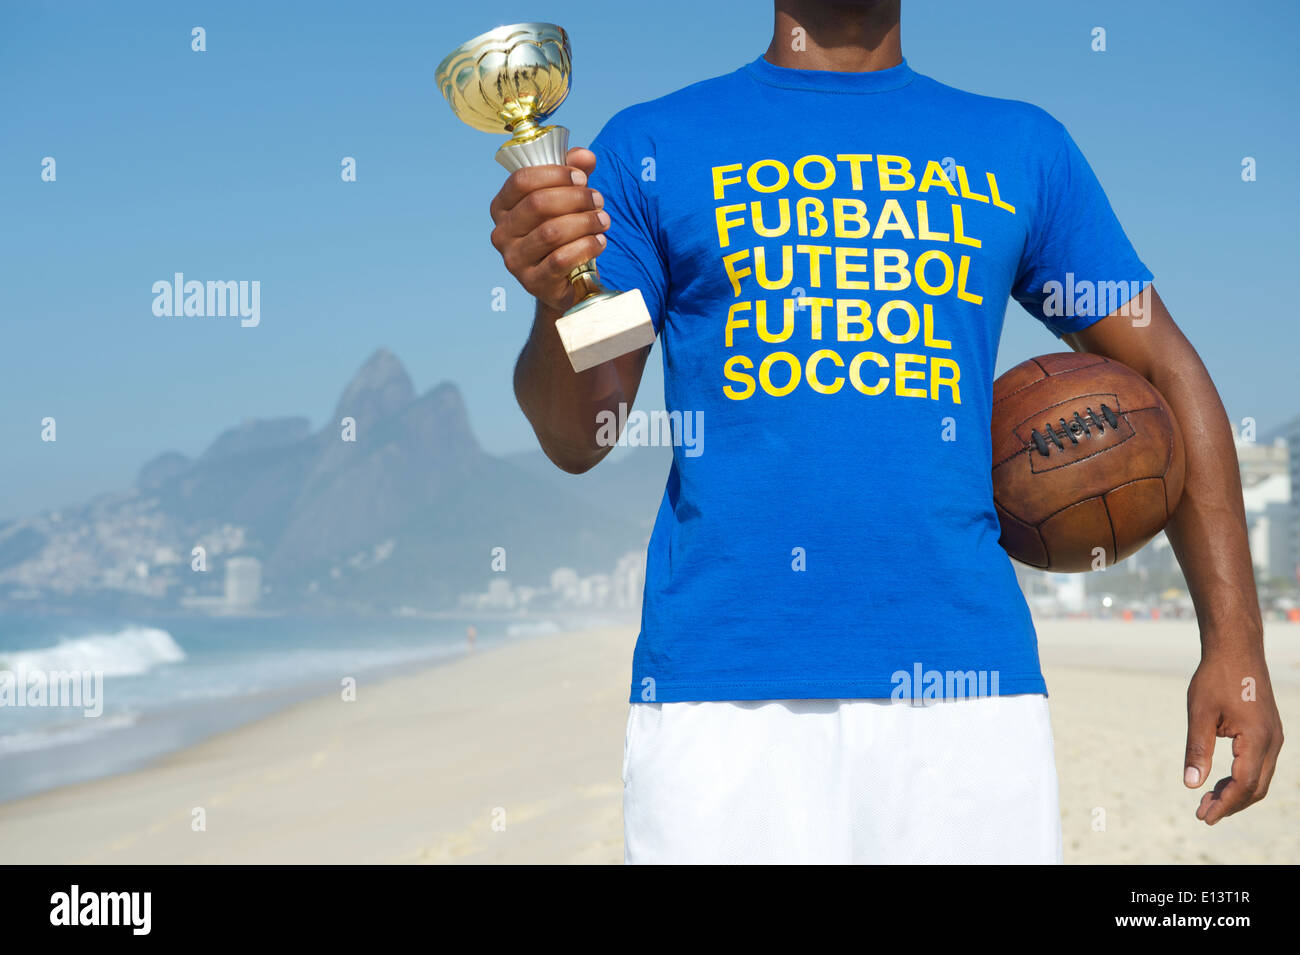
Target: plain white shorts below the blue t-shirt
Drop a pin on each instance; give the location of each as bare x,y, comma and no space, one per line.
842,782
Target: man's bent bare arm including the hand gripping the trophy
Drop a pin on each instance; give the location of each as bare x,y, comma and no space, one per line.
547,223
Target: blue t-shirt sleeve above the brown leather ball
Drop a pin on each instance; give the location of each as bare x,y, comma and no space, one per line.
1078,266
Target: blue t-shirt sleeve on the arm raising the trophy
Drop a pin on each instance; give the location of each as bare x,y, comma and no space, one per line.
632,258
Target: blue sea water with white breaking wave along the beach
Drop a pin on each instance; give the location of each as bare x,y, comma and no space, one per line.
167,684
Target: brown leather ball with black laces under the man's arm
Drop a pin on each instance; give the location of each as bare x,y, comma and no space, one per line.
1086,455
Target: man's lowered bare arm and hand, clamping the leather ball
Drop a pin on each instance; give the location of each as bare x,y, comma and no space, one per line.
1210,537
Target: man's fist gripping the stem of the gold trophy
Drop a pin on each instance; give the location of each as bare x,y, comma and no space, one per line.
547,223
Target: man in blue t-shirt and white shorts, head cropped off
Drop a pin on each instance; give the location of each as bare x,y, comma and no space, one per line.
835,662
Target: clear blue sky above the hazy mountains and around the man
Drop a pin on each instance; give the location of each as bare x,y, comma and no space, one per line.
226,166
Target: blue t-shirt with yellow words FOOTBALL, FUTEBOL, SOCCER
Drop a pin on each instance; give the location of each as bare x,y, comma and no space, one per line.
827,258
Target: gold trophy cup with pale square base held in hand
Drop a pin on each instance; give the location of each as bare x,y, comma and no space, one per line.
512,80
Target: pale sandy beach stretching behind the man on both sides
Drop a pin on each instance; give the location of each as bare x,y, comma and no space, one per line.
514,757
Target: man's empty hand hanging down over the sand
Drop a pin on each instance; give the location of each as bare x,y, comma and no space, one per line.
1230,696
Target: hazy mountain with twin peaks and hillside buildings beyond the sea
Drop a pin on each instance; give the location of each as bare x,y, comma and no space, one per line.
391,507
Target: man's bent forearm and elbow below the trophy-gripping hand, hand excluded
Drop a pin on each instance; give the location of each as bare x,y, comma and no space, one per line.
561,405
